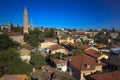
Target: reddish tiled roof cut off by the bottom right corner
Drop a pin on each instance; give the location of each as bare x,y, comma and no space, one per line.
114,75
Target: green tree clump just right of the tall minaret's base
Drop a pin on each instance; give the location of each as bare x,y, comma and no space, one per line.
38,36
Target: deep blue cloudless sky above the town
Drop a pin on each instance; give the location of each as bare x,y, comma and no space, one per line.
78,14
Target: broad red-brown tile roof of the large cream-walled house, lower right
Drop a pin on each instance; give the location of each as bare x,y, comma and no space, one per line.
80,61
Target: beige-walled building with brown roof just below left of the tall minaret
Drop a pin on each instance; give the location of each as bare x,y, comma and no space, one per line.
16,36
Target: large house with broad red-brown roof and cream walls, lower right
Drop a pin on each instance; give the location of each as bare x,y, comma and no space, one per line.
82,65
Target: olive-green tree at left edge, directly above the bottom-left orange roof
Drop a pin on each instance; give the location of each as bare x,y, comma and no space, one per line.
10,63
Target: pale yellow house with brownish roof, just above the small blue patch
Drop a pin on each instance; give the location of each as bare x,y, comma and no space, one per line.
47,43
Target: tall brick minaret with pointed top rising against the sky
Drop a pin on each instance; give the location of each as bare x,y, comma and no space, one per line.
25,27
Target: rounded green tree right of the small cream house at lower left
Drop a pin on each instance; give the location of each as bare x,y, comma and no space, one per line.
37,60
